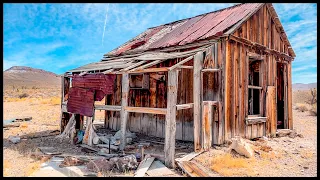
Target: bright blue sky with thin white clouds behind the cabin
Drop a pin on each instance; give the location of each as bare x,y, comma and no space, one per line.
59,37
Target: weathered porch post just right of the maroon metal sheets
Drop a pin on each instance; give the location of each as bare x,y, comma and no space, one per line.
123,112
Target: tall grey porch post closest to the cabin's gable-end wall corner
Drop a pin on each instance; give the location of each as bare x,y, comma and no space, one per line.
197,99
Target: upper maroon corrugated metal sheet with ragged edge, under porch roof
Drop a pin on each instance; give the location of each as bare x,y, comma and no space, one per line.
101,83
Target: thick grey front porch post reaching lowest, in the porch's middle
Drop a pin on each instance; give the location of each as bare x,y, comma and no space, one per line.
170,123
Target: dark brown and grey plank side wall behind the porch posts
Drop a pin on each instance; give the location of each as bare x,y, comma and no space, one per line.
156,97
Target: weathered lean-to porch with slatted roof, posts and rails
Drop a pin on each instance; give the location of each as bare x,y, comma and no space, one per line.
171,68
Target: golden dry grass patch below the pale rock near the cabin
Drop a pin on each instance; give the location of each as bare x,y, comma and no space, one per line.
227,165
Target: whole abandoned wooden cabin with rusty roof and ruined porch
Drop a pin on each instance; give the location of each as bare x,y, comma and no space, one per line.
204,79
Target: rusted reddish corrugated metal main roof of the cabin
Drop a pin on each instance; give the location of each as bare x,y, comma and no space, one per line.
186,31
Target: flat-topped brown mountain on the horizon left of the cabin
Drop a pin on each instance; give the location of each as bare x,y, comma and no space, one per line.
19,76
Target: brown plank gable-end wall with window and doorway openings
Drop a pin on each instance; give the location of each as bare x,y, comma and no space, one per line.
261,29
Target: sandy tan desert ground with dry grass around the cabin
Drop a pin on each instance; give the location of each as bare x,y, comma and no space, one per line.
282,156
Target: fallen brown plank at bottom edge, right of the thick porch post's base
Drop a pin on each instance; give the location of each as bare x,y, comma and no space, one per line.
192,169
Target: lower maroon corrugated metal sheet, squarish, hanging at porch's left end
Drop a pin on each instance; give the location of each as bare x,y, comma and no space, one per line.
81,101
